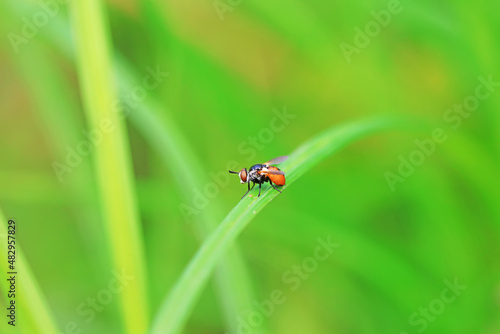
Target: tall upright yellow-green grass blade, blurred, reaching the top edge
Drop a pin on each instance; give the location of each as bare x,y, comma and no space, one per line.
112,159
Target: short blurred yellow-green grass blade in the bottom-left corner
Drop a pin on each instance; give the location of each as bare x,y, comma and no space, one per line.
32,312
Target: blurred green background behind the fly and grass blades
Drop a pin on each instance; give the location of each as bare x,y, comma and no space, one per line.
232,67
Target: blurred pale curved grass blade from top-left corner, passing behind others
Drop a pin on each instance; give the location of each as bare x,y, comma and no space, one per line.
166,139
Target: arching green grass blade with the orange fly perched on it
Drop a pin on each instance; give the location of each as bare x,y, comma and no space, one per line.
178,304
